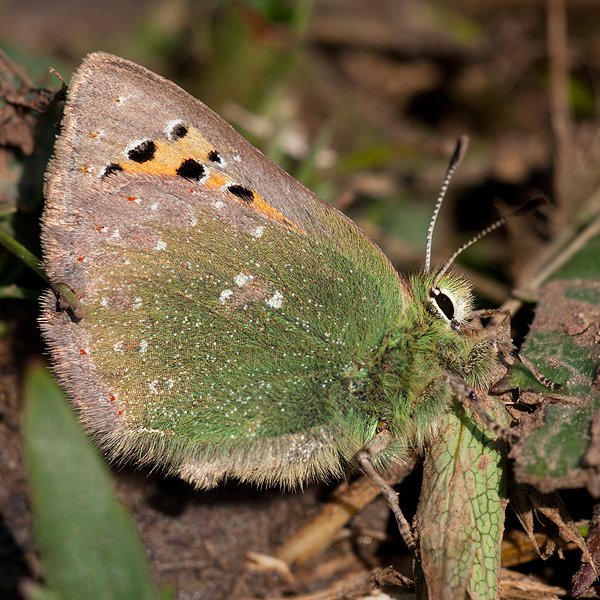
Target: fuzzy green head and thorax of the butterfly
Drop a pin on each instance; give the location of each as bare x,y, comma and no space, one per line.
407,372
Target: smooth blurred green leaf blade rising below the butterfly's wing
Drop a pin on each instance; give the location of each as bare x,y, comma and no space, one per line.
86,538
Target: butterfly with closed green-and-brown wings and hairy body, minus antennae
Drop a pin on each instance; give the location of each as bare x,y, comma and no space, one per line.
232,323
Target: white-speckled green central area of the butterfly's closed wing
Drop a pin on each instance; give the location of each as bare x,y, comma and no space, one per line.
238,339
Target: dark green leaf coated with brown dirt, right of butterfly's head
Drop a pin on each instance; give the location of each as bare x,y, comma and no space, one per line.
558,447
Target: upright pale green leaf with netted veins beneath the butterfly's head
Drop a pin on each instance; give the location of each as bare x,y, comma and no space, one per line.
461,512
